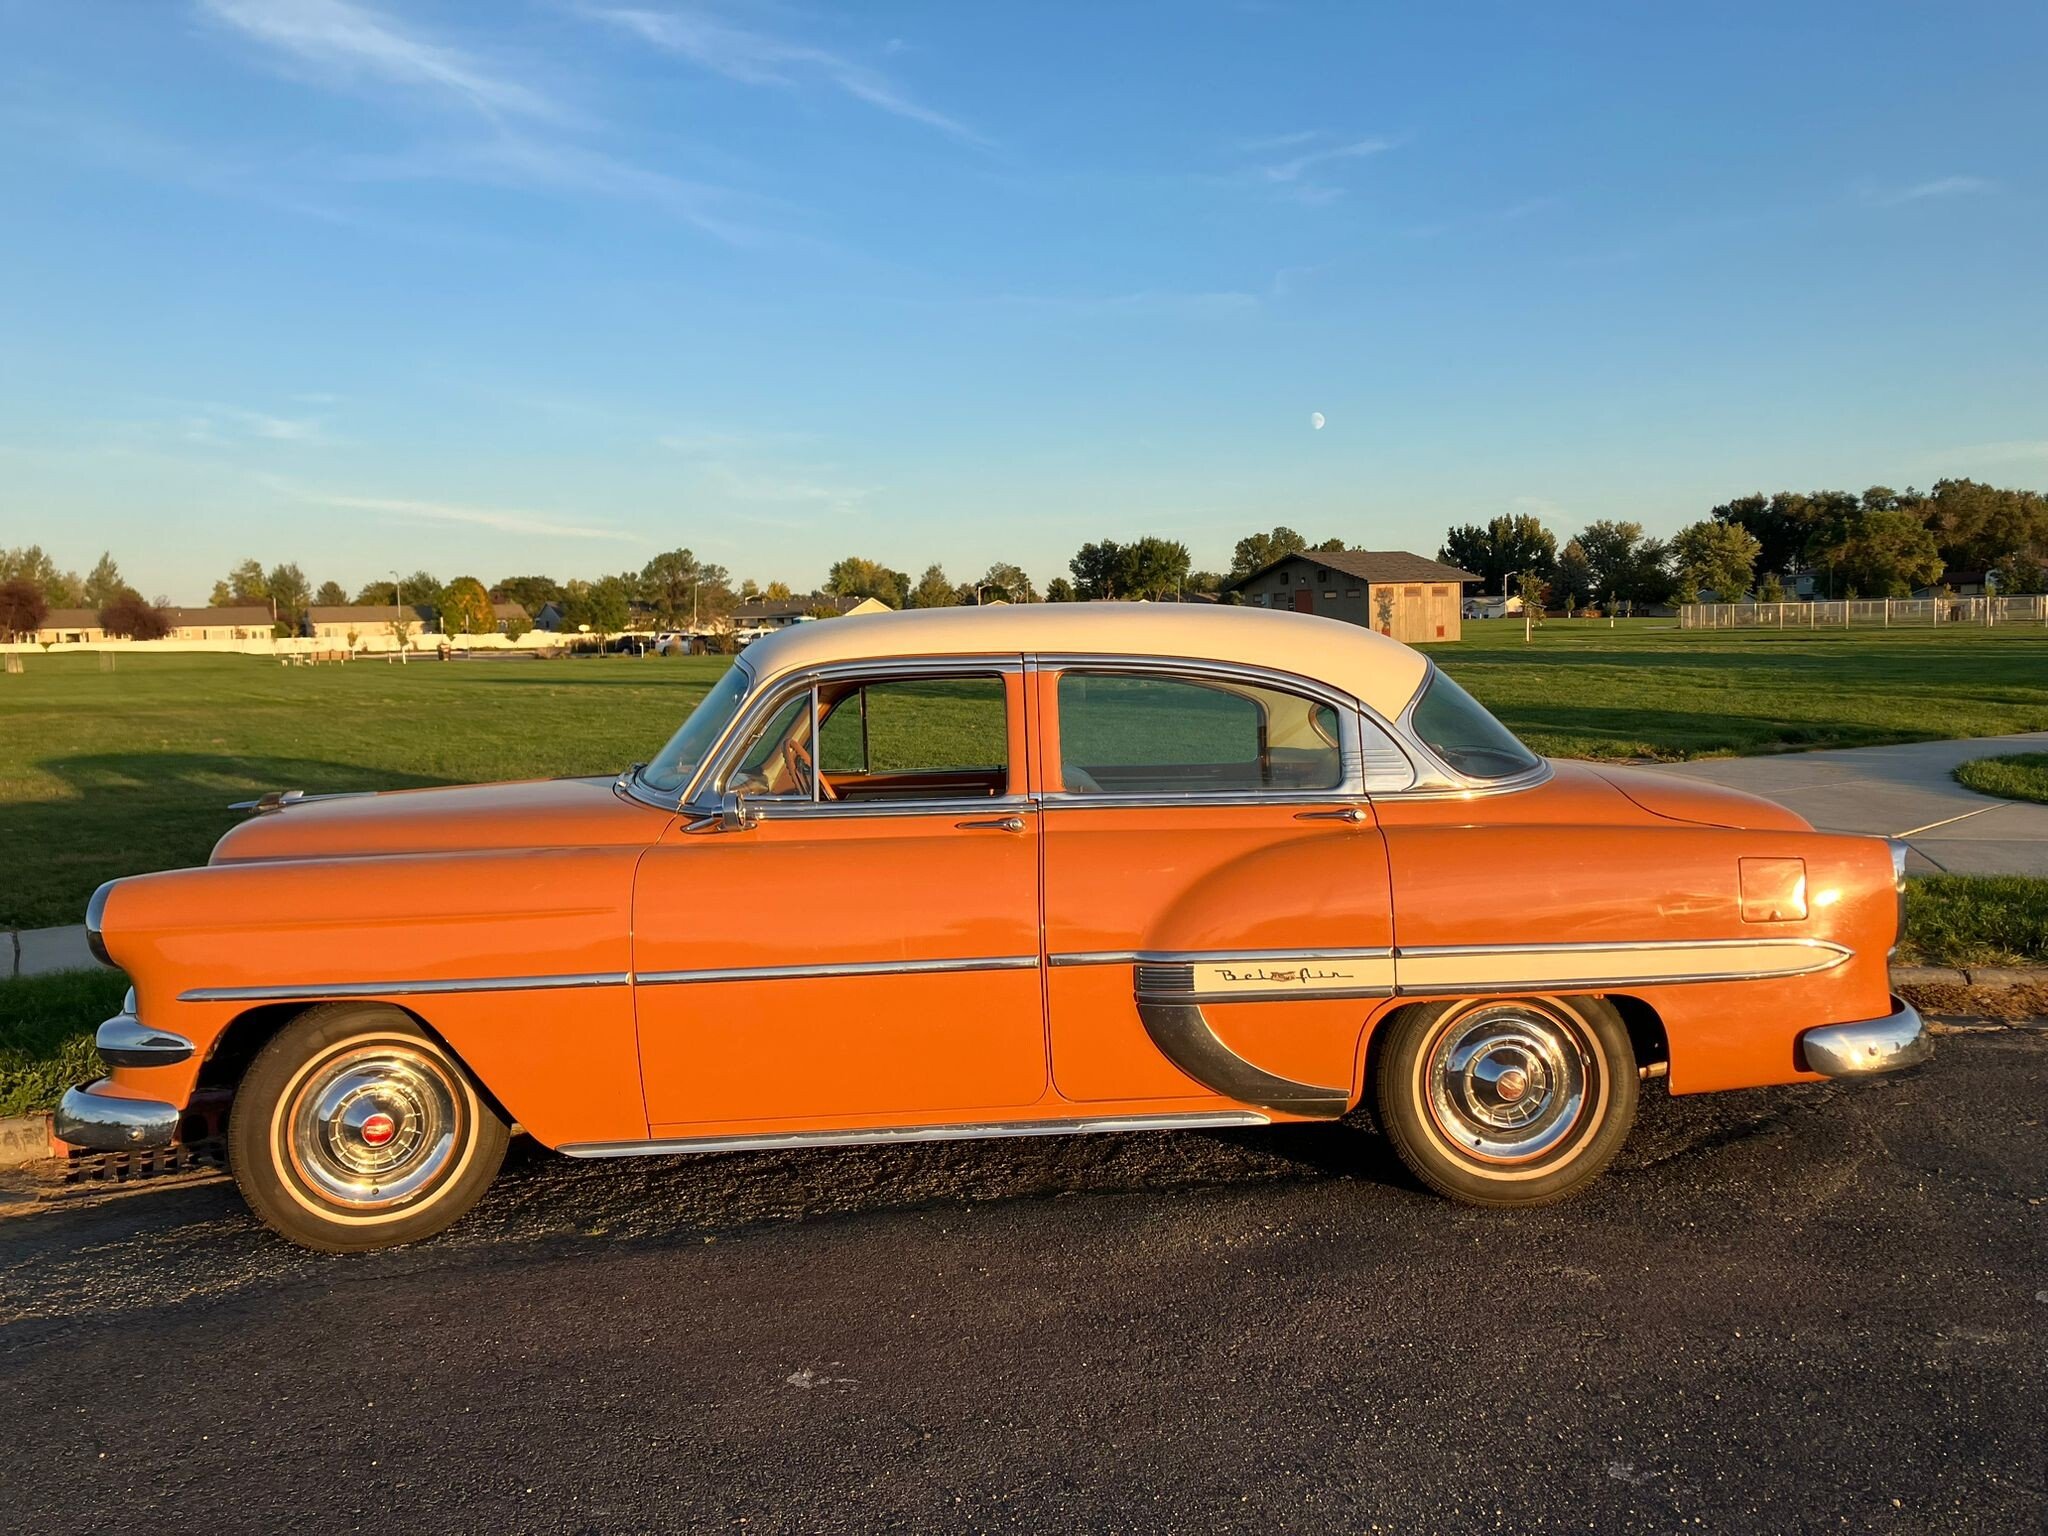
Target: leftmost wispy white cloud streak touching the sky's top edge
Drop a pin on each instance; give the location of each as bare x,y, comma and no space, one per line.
353,42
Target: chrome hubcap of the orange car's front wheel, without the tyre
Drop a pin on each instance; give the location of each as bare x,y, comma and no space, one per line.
376,1127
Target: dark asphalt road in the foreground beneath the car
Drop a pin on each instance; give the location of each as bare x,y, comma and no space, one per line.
1791,1310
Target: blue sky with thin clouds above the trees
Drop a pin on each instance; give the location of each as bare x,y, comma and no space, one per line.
550,286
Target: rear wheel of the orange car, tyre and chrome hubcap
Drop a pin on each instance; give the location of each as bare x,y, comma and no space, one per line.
1508,1103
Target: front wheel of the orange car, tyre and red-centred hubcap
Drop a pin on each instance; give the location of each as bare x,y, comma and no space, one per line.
355,1129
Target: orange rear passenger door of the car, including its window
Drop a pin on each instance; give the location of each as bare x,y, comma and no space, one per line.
1218,906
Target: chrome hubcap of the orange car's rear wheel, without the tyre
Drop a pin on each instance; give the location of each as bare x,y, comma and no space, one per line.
1508,1082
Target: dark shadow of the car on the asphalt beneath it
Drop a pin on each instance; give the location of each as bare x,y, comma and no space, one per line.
198,1238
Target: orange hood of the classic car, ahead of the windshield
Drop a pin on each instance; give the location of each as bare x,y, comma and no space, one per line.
538,814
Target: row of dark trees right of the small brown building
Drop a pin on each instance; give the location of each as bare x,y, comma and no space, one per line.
1879,544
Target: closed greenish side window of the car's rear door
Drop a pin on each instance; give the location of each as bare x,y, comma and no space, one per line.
1125,734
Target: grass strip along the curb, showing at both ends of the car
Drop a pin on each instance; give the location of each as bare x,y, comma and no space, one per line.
48,1023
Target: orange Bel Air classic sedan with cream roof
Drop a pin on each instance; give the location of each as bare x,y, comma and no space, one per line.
994,873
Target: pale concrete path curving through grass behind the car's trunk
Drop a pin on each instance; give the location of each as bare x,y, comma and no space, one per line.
1902,792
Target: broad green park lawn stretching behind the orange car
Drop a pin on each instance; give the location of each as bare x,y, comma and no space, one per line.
116,773
